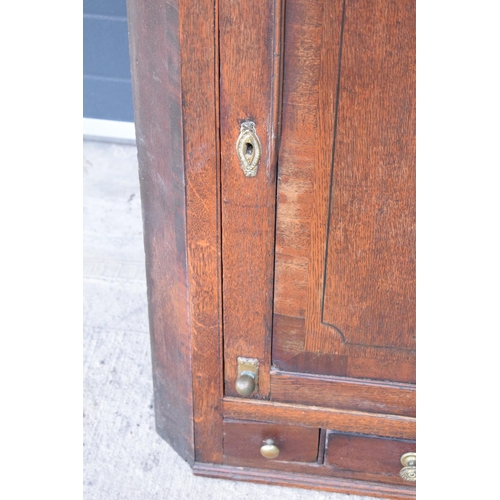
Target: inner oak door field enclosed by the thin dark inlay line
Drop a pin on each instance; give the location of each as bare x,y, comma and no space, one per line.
369,294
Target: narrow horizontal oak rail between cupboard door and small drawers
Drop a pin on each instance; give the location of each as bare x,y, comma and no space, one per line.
328,418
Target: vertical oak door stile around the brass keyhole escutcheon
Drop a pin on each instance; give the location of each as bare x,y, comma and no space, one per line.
249,90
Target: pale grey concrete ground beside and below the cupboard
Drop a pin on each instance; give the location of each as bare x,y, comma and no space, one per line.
124,459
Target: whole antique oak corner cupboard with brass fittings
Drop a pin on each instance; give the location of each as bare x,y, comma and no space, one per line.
276,145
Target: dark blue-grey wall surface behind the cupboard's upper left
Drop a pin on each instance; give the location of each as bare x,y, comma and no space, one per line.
107,89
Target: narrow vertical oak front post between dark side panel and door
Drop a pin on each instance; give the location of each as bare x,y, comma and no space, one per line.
199,99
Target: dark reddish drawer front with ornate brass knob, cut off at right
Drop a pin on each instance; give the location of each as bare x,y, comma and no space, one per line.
364,457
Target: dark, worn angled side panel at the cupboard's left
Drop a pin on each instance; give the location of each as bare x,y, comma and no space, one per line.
156,79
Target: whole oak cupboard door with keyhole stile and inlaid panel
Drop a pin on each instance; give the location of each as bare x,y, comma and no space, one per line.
318,249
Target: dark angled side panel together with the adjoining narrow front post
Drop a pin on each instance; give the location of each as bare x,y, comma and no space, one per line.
176,128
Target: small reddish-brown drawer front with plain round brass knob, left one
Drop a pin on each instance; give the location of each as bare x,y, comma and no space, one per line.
243,442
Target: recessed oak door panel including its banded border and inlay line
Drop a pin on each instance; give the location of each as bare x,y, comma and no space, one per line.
345,229
